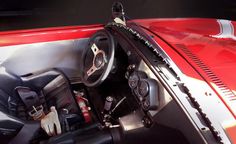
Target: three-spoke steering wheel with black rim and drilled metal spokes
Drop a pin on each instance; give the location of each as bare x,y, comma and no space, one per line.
98,58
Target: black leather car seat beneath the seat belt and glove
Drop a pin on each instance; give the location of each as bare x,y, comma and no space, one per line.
53,89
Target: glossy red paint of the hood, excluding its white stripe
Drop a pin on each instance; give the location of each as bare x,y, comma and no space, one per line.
195,35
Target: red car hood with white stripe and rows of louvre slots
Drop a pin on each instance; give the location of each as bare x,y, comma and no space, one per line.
209,45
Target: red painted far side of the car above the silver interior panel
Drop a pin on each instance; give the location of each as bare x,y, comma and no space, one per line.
46,34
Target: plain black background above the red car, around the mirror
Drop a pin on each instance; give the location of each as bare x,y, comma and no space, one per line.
26,14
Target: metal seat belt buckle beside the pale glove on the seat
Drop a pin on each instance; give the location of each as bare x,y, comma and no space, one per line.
37,112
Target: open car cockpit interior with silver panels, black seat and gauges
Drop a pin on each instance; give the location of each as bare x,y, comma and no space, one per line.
125,101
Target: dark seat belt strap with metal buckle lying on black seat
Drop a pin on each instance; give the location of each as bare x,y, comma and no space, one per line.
31,101
